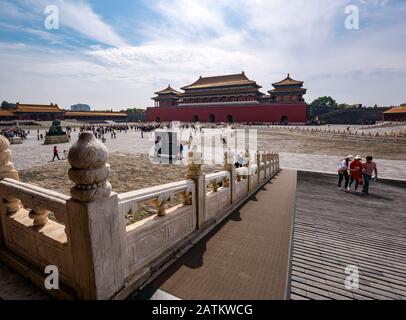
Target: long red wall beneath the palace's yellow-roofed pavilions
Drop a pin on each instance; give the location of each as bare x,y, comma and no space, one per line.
247,113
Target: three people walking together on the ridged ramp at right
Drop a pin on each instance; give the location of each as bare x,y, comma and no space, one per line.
355,170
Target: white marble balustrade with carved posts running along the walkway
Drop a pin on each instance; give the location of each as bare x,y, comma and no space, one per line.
98,255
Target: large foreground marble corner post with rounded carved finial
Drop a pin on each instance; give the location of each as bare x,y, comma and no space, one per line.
95,227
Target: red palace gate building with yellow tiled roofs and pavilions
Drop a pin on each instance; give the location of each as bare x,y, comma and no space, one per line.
231,98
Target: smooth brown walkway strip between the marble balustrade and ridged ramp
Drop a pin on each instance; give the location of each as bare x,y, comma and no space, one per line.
245,257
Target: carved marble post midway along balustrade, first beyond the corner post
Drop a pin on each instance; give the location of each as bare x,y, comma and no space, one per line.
194,172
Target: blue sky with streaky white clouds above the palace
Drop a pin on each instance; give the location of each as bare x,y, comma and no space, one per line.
116,54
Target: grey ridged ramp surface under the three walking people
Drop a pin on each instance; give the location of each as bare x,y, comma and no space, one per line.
334,229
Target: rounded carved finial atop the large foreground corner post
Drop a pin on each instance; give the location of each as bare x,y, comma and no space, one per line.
90,170
